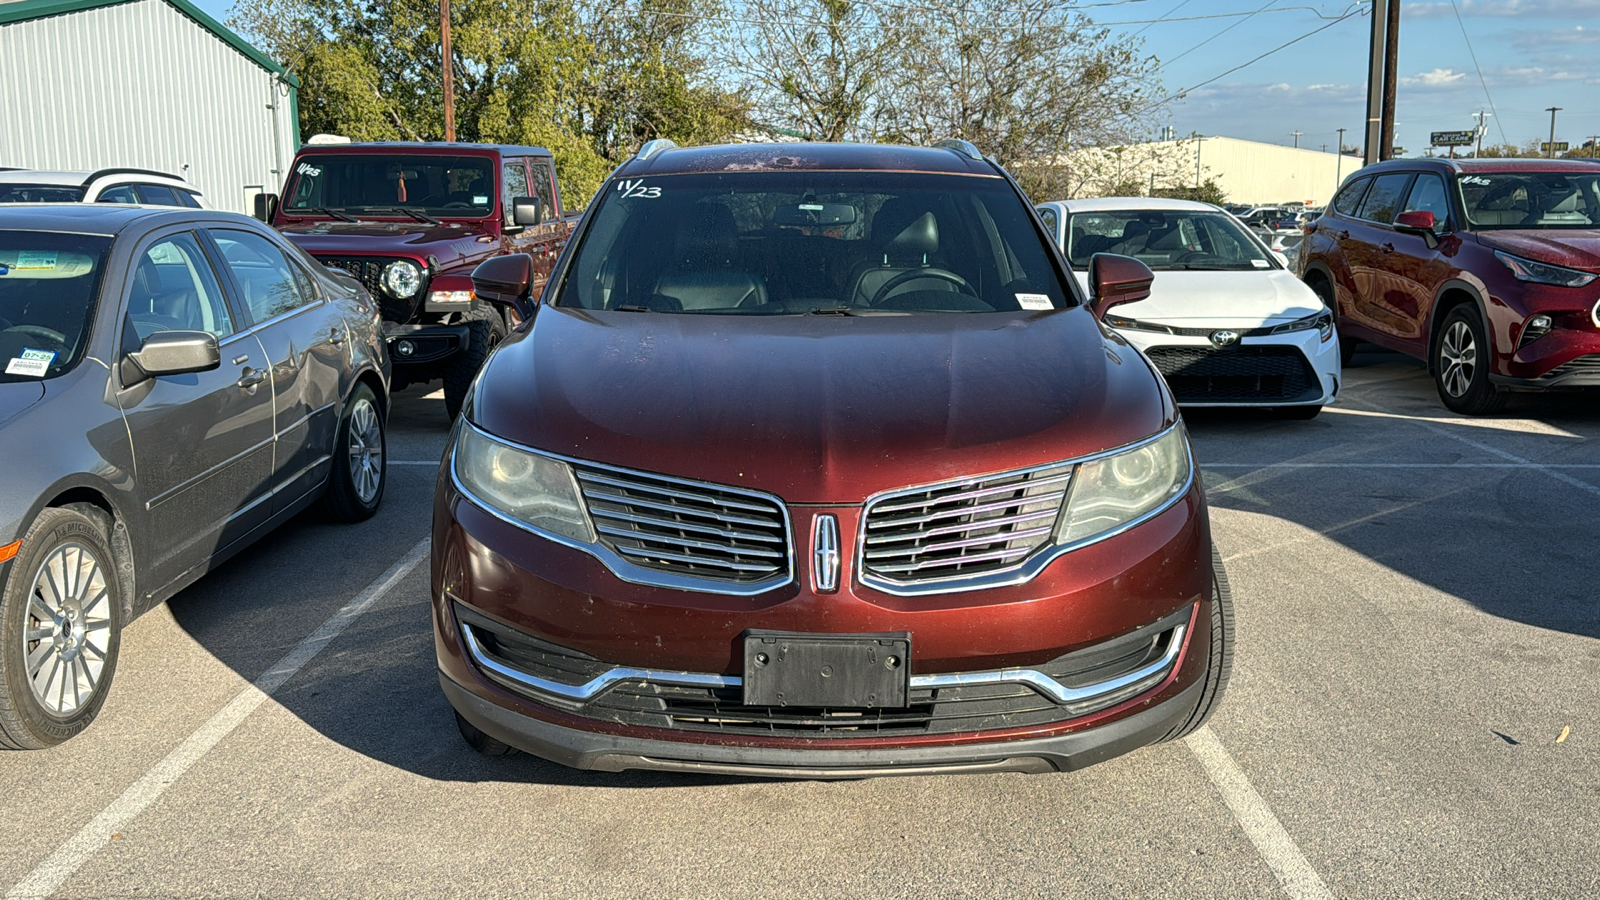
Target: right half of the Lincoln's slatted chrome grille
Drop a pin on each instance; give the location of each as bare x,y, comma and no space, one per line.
970,528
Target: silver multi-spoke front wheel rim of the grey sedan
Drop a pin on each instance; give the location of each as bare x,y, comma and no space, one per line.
68,633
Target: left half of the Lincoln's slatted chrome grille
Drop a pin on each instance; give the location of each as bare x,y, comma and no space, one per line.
690,529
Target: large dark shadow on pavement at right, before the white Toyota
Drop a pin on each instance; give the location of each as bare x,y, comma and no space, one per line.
1513,542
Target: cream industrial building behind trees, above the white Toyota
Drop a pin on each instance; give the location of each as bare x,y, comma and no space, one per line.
1249,172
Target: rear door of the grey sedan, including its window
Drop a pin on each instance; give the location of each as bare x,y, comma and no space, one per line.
305,339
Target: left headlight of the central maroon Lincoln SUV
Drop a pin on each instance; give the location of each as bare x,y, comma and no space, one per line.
524,486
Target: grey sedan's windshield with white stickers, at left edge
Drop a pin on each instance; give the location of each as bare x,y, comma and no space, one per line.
49,284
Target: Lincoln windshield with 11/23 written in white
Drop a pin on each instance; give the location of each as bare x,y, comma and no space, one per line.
801,243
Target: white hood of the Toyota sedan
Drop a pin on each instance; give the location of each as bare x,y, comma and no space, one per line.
1226,300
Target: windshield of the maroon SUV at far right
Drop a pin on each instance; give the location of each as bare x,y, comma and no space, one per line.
1532,199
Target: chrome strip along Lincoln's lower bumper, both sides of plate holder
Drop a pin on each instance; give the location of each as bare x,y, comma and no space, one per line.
1031,678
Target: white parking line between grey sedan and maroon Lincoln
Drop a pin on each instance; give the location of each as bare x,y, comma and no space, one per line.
78,850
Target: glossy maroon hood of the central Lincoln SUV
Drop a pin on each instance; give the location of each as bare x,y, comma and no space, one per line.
820,409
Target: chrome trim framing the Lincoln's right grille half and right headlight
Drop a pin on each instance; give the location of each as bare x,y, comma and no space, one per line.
1033,566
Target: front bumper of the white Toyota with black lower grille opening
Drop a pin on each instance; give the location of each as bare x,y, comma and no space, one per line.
1297,369
